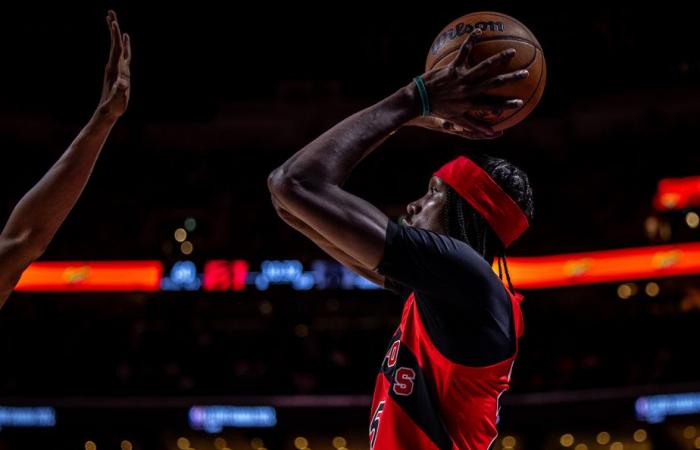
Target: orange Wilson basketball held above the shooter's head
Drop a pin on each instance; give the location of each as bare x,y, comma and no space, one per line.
499,32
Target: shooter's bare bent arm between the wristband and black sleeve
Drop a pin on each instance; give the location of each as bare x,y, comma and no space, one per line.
309,184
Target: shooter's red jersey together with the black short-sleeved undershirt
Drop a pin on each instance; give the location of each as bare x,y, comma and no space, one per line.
451,357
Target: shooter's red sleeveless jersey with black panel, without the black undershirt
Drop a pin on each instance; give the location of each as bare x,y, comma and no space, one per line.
422,400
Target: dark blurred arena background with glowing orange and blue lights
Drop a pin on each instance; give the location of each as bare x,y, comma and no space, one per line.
174,310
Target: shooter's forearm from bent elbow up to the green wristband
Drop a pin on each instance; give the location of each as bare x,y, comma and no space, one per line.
332,156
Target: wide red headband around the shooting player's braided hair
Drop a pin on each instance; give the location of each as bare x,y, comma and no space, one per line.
475,186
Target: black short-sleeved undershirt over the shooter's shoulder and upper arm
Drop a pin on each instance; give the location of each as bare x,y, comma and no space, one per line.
463,304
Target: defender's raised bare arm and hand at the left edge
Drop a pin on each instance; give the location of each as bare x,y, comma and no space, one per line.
42,210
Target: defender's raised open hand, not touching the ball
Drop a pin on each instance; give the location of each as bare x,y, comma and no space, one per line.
117,80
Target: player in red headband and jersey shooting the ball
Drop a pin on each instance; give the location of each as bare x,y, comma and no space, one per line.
451,356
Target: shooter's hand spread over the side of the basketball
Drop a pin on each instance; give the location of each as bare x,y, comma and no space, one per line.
457,92
